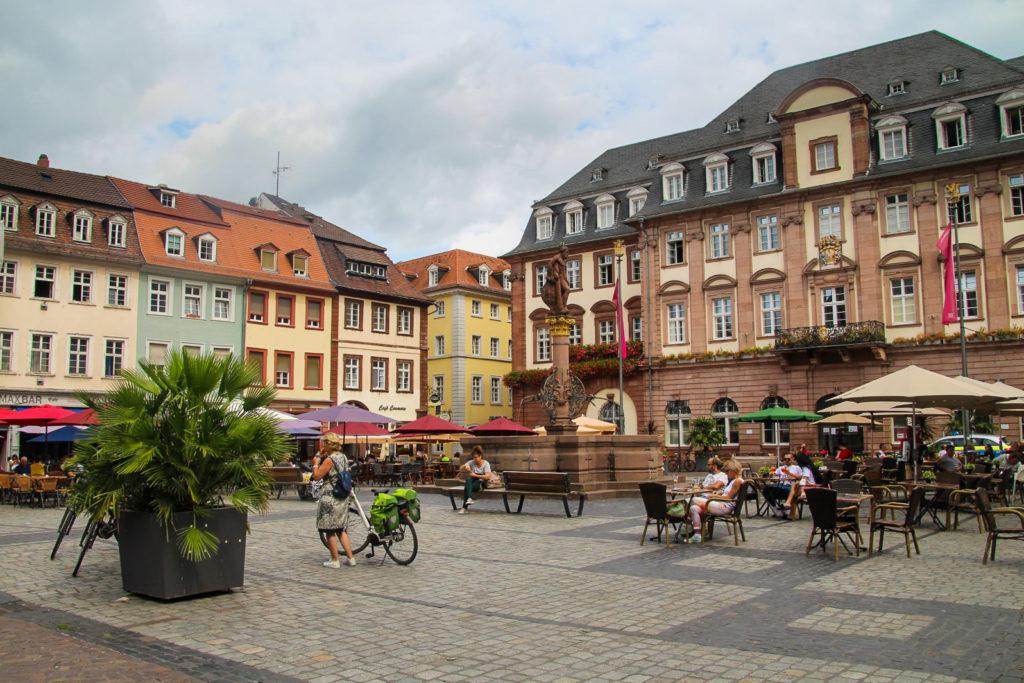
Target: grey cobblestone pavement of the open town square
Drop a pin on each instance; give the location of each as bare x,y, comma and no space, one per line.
532,597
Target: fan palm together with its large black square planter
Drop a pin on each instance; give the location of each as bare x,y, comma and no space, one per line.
181,458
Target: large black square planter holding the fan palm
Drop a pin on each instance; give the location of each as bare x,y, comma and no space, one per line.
152,565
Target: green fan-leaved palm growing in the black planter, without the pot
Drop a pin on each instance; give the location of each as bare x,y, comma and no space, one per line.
191,436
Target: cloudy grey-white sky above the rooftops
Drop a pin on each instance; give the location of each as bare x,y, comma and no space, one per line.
421,126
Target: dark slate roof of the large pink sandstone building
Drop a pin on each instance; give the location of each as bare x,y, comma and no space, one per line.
916,60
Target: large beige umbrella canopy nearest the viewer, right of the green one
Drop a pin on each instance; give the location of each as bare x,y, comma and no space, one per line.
923,389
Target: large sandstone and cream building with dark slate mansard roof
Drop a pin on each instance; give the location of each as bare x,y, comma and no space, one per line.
787,251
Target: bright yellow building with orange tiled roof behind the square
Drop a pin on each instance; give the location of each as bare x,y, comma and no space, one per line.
470,332
